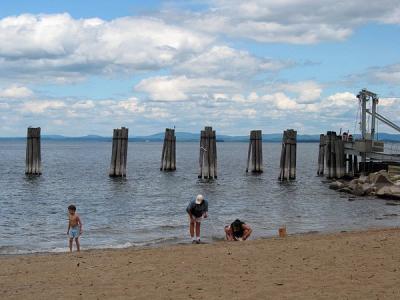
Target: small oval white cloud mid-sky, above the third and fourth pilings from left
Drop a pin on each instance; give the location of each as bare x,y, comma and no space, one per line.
181,88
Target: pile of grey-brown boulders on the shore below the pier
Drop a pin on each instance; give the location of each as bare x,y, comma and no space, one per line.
379,184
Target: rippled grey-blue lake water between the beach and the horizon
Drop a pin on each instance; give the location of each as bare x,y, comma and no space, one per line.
148,207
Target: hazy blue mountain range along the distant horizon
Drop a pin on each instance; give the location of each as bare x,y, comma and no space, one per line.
194,137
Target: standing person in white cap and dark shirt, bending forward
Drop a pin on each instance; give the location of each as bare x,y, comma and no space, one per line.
197,210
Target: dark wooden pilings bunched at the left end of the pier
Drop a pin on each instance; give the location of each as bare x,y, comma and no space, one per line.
332,160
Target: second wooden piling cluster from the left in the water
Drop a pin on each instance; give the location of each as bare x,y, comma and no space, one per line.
119,153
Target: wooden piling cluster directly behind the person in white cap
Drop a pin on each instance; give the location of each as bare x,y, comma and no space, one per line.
208,154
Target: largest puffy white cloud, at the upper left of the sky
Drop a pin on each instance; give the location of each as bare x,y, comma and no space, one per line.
63,48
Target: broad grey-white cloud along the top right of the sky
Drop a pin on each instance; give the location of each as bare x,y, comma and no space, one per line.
292,21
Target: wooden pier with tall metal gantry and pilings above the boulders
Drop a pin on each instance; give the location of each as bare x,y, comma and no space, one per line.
339,154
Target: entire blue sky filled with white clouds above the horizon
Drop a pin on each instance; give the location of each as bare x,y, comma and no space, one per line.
85,67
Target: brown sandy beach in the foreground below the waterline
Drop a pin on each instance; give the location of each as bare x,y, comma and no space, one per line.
354,265
